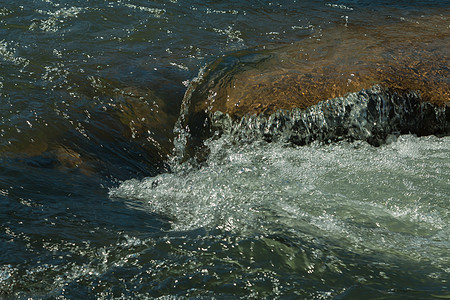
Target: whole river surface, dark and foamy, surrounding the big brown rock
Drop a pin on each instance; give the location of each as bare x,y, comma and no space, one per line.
94,205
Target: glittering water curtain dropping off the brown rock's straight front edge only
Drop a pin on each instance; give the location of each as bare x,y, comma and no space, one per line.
371,115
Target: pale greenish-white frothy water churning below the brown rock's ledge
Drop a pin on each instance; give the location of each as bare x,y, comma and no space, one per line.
392,198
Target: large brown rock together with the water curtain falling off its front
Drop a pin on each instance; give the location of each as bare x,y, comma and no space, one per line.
385,80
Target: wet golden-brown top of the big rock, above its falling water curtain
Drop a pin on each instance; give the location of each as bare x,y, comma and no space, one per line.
408,55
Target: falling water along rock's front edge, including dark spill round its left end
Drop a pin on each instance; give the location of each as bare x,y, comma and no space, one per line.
375,115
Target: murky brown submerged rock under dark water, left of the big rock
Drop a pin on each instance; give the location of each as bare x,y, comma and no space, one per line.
94,137
